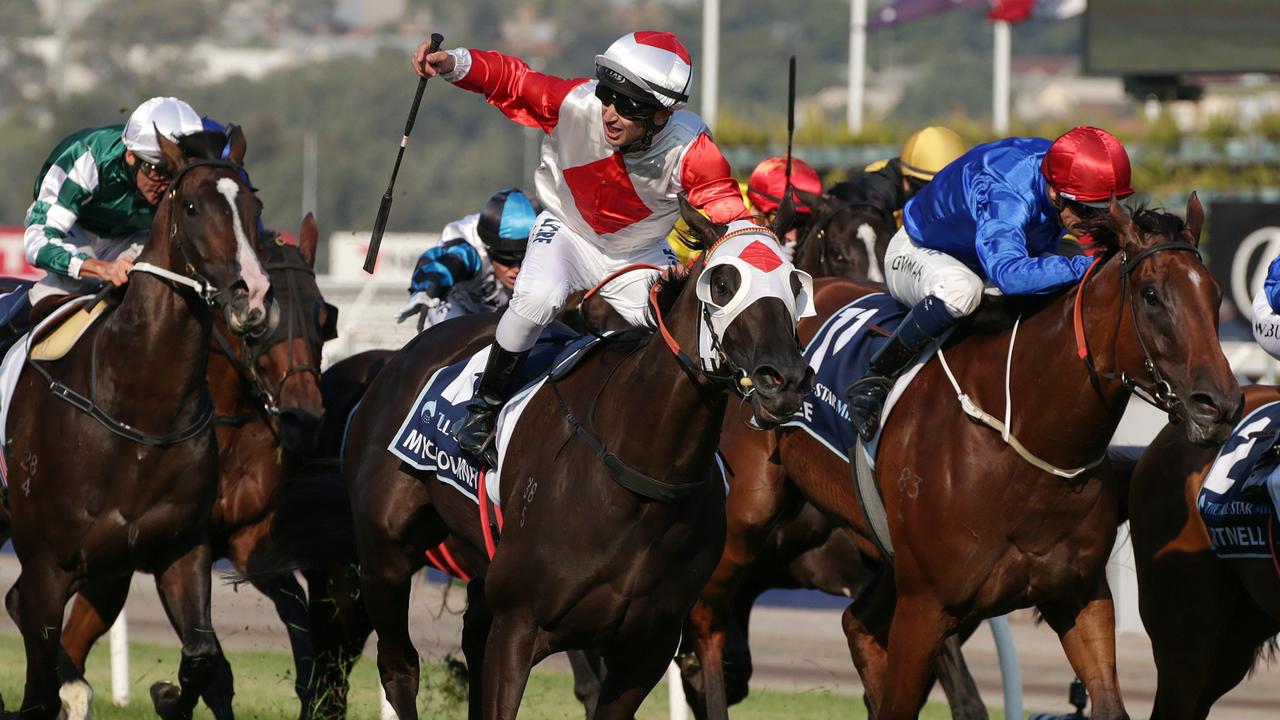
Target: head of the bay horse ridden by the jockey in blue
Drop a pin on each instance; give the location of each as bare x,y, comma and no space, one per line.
1167,329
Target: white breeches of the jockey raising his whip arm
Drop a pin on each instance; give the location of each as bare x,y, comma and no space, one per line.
559,263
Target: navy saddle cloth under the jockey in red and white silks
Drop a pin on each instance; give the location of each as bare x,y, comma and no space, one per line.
426,439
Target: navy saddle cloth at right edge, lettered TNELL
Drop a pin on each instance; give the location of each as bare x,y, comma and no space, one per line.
1233,502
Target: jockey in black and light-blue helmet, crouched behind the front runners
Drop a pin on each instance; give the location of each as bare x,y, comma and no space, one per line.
476,266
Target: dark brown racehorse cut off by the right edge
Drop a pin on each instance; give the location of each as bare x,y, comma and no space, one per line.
1210,619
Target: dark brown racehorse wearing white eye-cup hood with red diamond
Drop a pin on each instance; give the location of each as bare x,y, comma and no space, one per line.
605,580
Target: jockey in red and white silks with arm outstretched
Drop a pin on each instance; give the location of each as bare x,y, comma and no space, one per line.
619,152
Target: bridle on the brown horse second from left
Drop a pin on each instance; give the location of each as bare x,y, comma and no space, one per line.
295,325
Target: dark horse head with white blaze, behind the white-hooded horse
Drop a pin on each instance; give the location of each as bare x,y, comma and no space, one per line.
848,235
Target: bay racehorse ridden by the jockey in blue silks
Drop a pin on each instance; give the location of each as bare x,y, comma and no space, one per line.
979,531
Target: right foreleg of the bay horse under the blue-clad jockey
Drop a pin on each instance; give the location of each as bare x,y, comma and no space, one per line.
1087,631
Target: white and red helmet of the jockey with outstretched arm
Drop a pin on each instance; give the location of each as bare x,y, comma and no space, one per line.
652,65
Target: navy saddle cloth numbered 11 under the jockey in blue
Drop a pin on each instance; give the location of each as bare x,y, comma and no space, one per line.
840,356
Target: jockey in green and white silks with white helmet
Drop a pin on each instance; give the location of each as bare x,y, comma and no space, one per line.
95,199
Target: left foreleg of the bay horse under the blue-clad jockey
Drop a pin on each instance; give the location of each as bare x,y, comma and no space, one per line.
915,642
